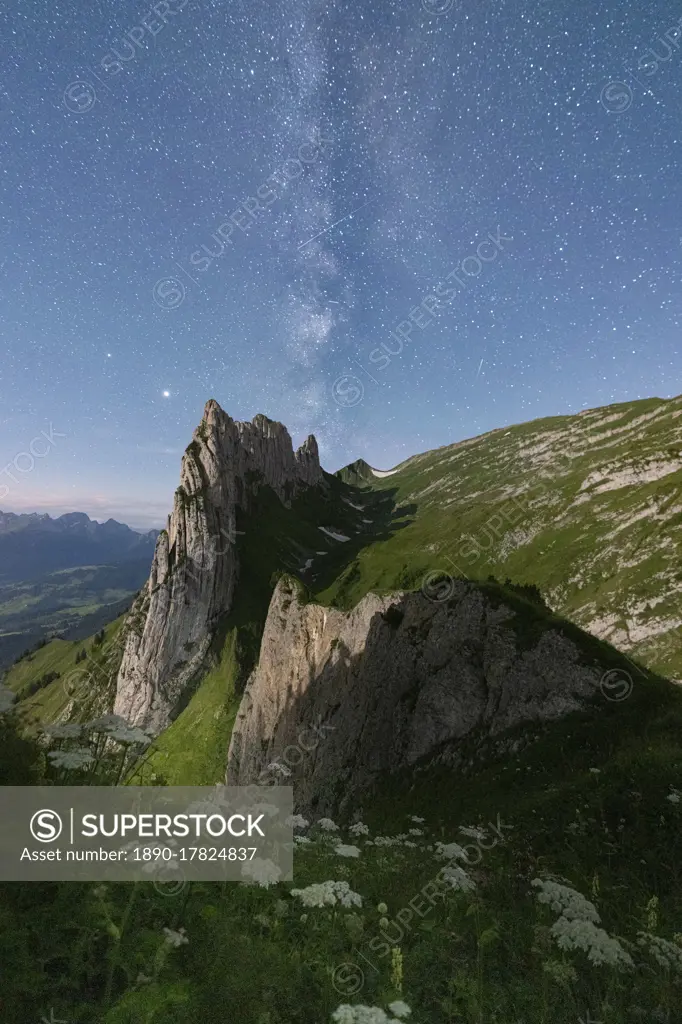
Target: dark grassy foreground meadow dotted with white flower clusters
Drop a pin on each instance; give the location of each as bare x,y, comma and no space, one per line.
458,934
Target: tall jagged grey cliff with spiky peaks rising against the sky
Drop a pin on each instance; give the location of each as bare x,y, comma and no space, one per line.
196,563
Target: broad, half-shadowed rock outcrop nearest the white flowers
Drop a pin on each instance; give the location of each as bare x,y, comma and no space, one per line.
338,700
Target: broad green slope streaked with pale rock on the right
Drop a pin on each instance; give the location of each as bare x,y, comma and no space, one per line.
588,558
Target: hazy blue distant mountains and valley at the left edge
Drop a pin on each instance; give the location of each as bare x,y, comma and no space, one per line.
66,575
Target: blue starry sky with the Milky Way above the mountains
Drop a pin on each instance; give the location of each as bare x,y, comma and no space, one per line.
246,201
